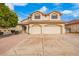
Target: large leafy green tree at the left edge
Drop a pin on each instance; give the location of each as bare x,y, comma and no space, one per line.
8,18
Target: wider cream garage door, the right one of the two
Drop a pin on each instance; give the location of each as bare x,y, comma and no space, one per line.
51,29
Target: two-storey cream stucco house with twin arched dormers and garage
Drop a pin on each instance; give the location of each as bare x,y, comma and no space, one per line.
40,23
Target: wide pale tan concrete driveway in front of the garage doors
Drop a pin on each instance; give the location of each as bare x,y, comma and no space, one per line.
45,45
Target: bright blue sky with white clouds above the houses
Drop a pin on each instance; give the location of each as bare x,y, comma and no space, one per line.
69,11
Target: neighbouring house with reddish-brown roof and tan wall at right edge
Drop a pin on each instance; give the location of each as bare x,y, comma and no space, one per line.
72,26
